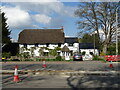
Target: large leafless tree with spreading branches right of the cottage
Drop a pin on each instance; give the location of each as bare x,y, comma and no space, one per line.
98,17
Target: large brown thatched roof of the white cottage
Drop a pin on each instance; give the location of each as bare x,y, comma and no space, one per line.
42,36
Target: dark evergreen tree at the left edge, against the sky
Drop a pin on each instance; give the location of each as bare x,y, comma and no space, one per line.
5,30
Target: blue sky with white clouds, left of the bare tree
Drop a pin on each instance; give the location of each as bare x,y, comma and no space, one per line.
40,15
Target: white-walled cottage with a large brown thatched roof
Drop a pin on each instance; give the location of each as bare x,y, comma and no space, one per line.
45,39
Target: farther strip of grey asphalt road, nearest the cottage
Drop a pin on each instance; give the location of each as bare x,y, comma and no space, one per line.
73,65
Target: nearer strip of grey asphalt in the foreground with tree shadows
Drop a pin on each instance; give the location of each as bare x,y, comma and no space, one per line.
55,81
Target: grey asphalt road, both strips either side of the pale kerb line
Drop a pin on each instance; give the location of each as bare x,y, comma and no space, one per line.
62,81
